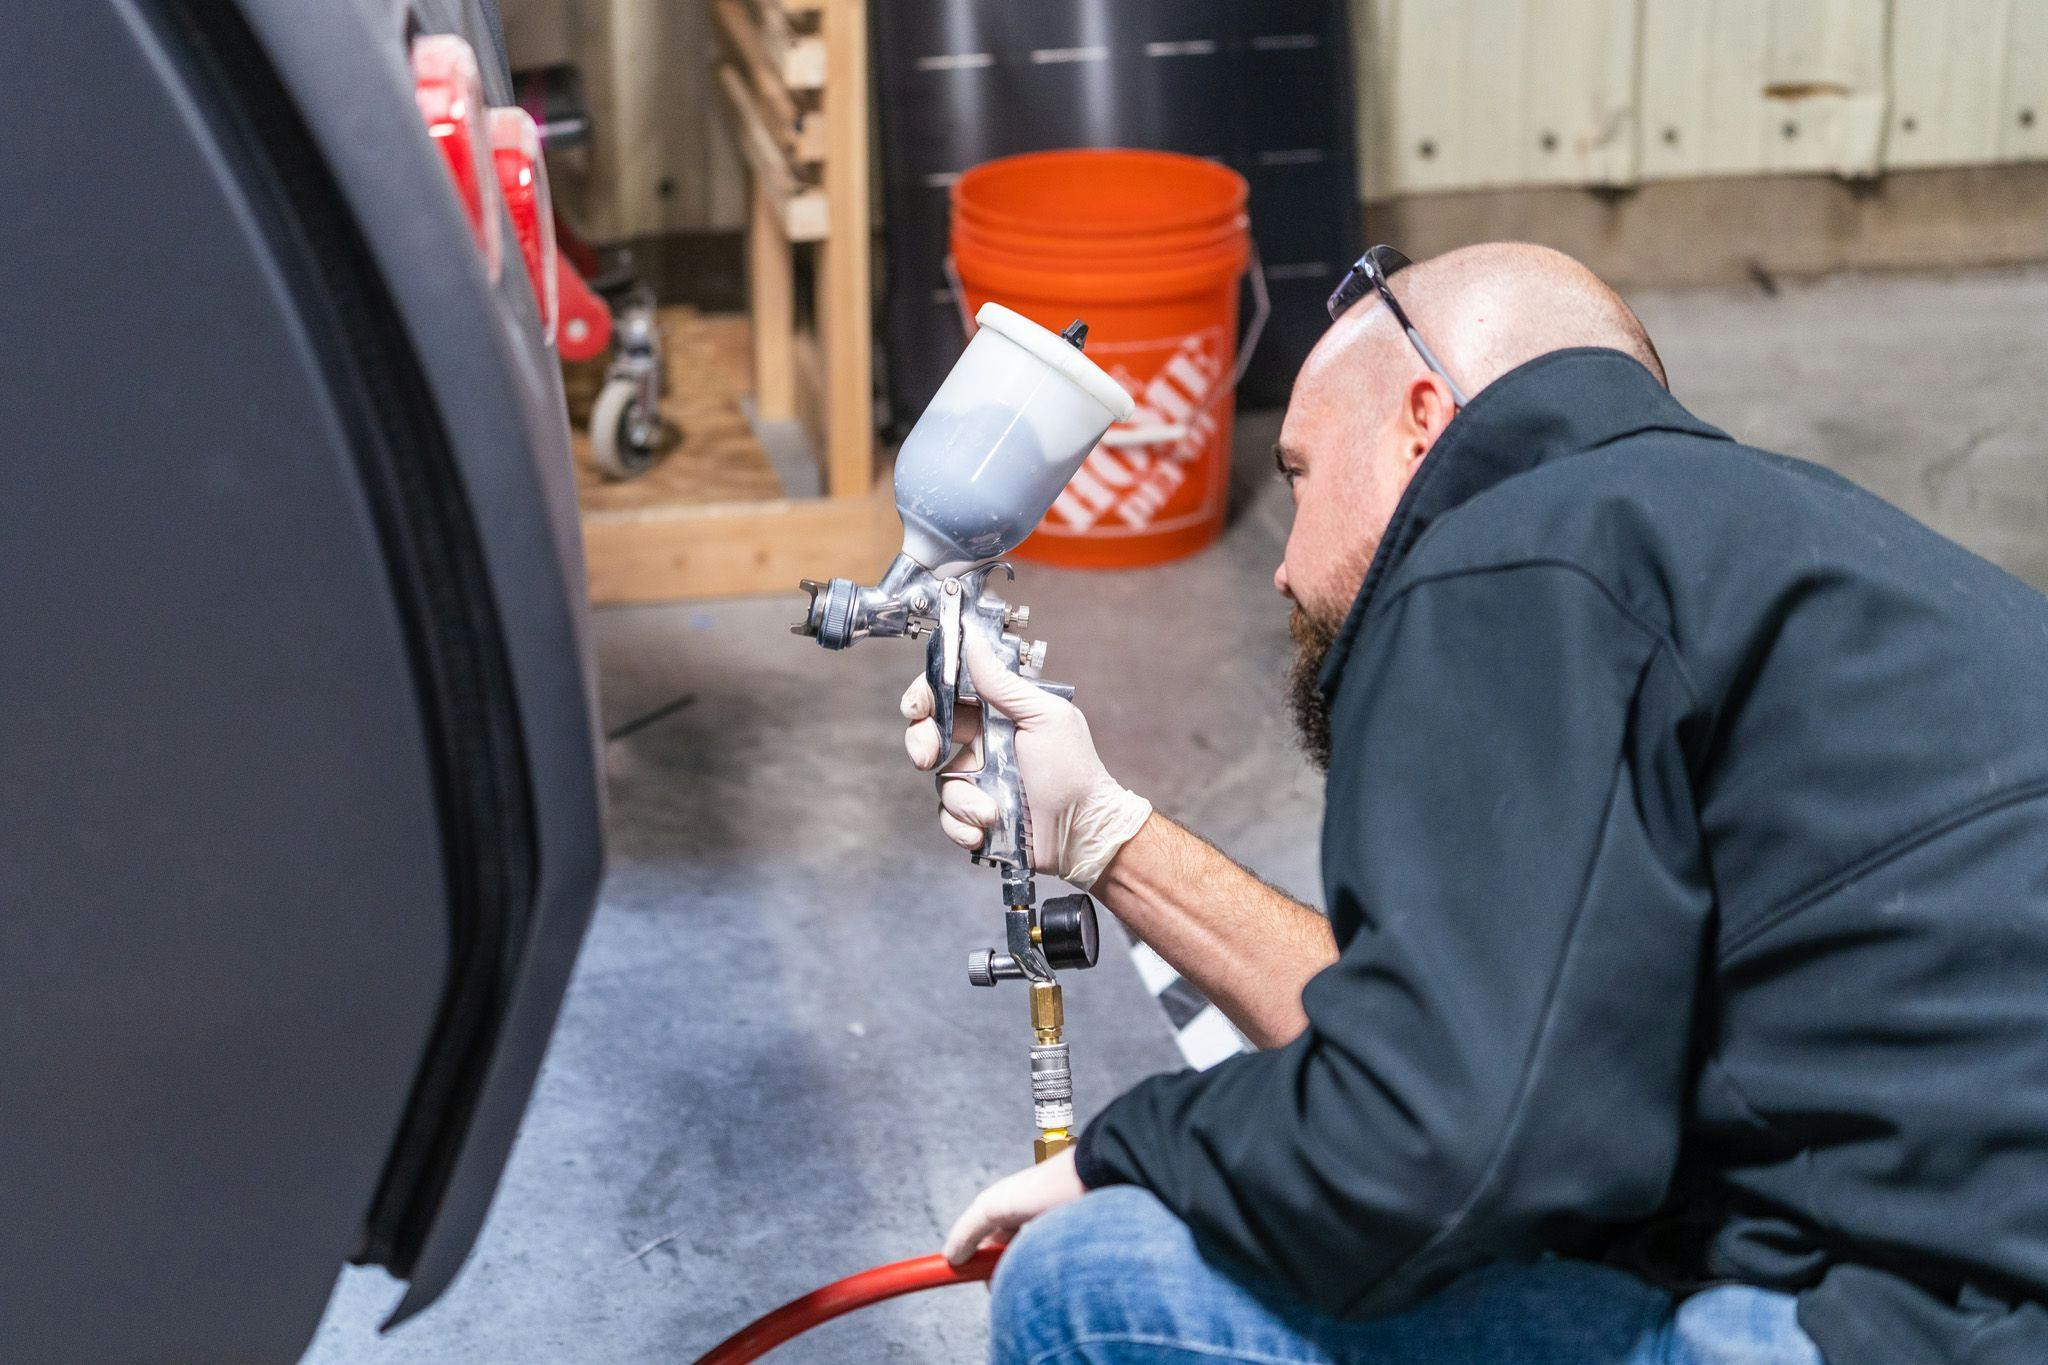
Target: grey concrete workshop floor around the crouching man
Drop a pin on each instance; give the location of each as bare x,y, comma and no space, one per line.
771,1069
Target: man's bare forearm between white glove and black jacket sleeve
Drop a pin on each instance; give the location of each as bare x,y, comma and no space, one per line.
1244,944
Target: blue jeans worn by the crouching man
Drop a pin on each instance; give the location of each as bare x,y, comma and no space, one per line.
1115,1280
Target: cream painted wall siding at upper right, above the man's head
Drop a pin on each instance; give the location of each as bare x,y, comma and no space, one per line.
1461,95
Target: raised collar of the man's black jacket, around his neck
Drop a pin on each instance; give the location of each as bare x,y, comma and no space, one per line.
1560,404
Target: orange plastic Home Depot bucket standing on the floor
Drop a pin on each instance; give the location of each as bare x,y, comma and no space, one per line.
1150,249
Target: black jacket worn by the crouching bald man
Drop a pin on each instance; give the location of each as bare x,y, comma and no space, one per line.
1687,846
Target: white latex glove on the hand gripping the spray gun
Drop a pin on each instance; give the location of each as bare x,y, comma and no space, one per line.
1080,818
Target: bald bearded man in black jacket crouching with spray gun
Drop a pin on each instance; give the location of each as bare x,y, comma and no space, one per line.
1684,992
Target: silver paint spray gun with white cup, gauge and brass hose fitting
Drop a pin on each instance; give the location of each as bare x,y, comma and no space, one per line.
998,443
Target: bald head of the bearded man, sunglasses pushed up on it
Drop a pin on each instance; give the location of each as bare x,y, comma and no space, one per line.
1367,408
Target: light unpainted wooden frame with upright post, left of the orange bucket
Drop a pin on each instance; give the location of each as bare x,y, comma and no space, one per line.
796,85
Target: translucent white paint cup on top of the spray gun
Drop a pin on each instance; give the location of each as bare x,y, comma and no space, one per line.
1015,419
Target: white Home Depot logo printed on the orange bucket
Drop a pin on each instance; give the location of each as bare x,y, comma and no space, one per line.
1164,486
